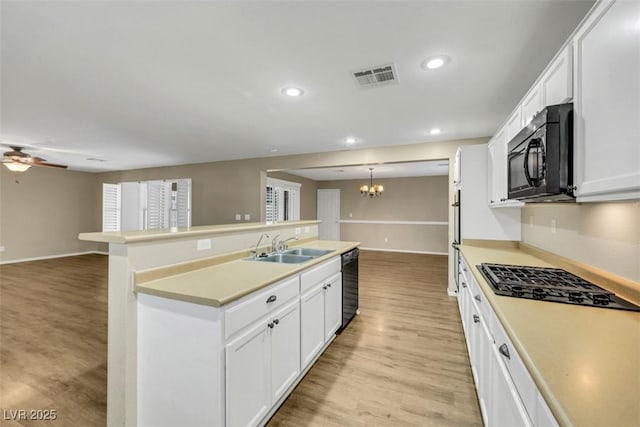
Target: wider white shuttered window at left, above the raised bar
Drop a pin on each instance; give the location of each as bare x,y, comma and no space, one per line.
153,205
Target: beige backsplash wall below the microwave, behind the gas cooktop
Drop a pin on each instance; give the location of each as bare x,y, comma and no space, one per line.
604,235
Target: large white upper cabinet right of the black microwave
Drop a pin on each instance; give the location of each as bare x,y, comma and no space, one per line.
607,103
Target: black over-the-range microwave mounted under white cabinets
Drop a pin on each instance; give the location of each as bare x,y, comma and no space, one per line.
540,157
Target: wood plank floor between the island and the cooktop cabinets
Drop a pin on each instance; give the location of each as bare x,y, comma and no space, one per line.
401,362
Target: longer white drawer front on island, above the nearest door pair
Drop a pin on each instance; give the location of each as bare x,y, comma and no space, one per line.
258,305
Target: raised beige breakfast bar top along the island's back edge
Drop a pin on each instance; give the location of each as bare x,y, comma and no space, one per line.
164,234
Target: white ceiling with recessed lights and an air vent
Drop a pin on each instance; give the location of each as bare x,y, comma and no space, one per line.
142,84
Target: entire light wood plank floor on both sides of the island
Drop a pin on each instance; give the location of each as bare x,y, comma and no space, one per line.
402,361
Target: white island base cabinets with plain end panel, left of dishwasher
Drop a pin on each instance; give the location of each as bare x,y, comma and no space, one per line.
233,365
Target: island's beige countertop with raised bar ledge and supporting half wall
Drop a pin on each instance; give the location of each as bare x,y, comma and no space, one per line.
146,263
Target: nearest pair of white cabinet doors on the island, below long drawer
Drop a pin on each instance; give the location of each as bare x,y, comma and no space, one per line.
261,365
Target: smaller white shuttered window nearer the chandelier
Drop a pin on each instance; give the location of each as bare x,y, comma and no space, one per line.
282,200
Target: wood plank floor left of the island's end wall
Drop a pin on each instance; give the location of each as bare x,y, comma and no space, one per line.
53,340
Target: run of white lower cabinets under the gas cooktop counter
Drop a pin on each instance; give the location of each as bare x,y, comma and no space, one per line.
507,394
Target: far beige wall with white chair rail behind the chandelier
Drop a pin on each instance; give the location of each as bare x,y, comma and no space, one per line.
404,199
